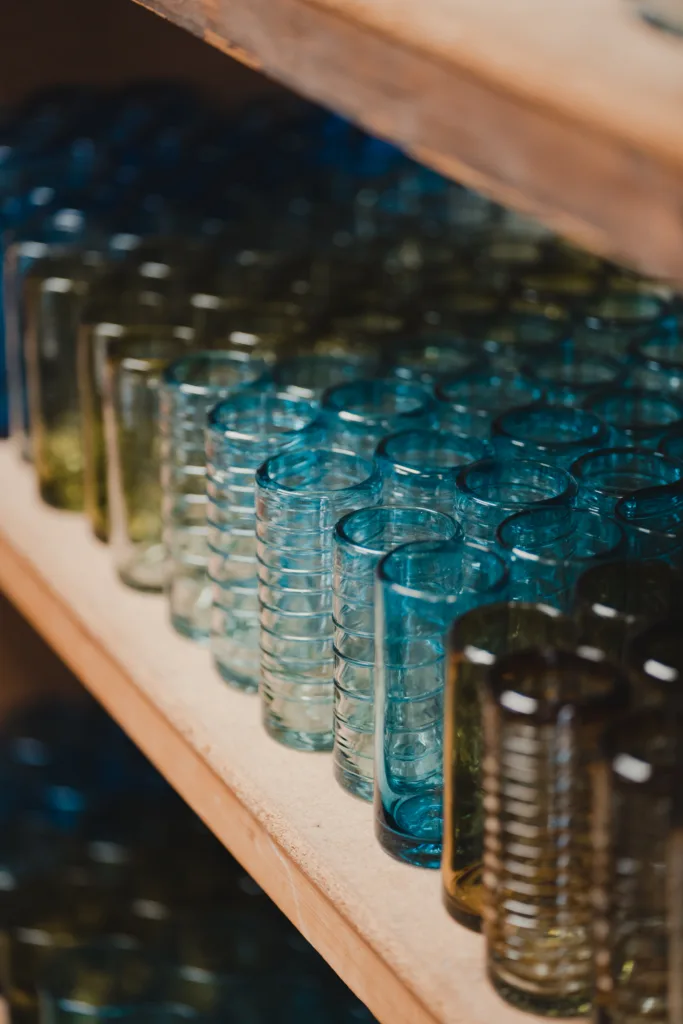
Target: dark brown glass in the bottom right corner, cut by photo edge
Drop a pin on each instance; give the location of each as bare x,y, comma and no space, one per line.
636,868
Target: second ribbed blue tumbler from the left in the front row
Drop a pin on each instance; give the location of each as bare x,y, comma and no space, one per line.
244,431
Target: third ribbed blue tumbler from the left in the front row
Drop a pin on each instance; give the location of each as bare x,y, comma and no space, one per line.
301,497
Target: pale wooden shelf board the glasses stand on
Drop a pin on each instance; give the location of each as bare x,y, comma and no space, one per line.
379,924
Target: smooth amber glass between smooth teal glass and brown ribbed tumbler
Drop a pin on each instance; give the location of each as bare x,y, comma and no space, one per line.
477,641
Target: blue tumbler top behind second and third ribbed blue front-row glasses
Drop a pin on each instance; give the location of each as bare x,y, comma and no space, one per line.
359,415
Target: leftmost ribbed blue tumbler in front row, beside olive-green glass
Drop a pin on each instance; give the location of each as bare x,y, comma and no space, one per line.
191,388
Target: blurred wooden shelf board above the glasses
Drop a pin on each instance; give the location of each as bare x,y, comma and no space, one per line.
570,110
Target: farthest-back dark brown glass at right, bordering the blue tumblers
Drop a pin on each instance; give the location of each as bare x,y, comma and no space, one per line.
618,601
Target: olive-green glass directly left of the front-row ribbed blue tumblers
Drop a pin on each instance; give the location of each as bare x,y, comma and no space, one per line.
133,381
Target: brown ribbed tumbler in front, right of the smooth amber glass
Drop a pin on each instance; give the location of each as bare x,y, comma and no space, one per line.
543,717
